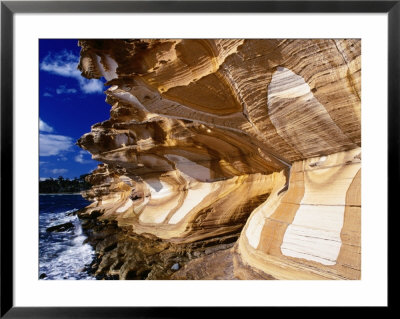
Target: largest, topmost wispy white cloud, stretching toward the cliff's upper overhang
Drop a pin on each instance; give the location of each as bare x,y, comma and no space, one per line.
65,64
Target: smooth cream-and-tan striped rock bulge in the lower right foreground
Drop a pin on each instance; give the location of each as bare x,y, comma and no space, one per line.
314,228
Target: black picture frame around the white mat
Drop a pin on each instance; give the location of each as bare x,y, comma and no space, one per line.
9,8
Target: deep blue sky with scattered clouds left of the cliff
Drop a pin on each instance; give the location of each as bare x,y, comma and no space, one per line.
68,106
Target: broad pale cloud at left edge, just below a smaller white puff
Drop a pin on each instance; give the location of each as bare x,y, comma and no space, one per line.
50,144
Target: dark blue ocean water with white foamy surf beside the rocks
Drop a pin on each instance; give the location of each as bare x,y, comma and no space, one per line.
62,255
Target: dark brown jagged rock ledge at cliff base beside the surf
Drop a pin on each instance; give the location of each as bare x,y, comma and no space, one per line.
121,254
